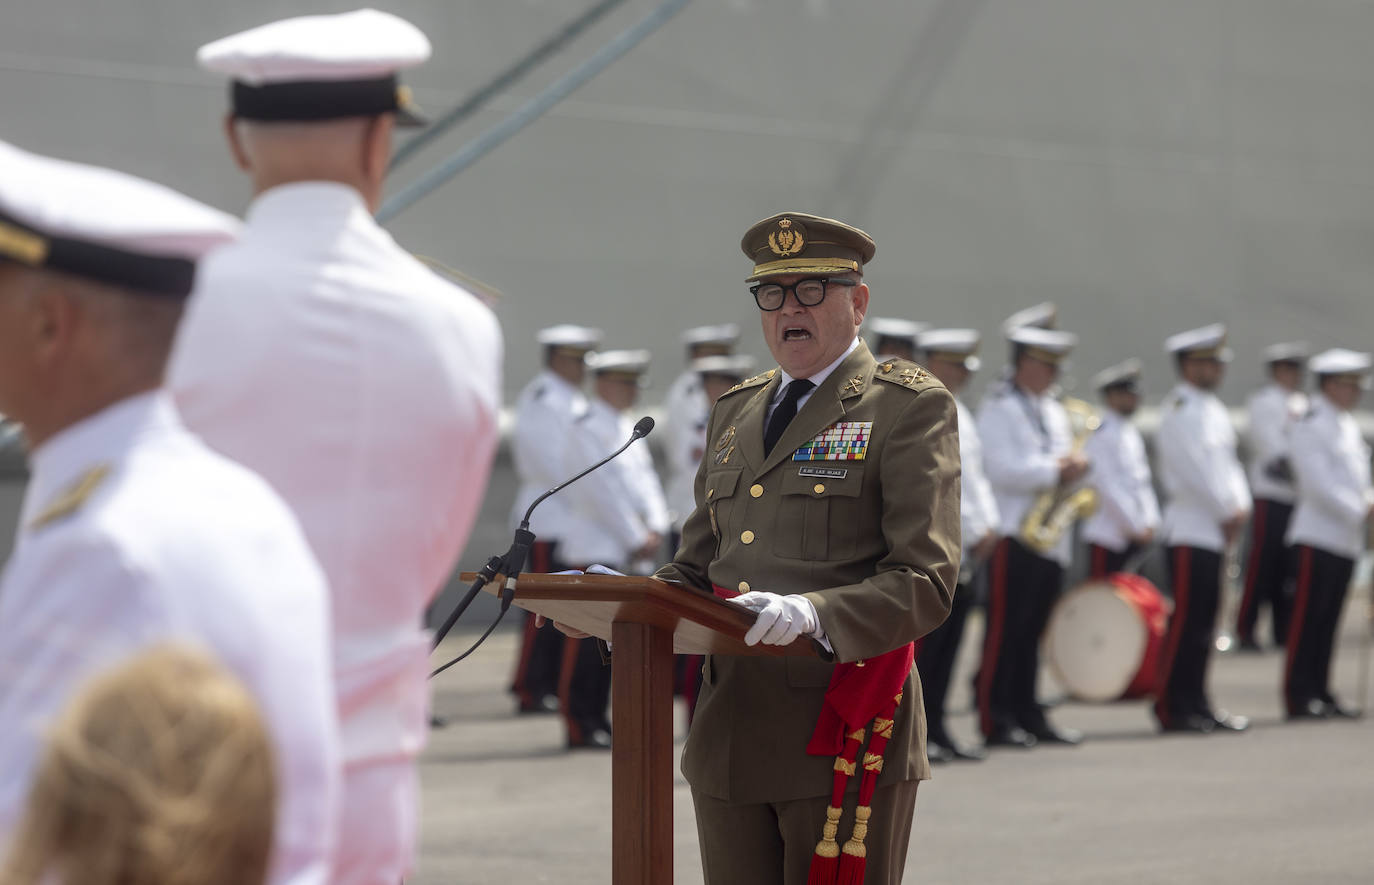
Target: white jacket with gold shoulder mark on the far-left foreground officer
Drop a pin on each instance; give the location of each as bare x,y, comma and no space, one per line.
134,533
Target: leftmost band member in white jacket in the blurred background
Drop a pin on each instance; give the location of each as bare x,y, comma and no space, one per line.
545,414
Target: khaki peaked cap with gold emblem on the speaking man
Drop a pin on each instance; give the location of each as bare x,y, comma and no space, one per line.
795,243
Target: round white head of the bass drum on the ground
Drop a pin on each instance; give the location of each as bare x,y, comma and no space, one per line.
1096,642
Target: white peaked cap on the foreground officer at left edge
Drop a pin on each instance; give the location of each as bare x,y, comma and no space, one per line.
104,225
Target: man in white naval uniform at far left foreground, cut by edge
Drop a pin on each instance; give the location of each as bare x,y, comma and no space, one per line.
133,531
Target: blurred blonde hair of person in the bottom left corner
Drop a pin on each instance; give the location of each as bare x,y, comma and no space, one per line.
159,773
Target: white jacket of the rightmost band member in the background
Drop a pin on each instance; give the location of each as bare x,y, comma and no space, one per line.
1332,464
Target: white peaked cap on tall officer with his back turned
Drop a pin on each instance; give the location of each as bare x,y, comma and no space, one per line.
321,67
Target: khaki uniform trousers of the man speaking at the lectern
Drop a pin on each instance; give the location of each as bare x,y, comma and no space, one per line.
773,843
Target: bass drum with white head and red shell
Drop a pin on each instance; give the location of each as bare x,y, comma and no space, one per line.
1105,638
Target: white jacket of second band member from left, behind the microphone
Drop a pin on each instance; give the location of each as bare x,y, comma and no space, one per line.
618,506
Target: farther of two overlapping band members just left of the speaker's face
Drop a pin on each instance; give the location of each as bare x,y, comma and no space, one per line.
686,409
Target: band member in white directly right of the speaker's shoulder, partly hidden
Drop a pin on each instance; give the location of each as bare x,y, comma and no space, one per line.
953,357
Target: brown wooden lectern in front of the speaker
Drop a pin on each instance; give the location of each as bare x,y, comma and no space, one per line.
648,622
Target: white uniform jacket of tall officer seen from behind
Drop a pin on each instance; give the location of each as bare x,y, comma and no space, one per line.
366,391
